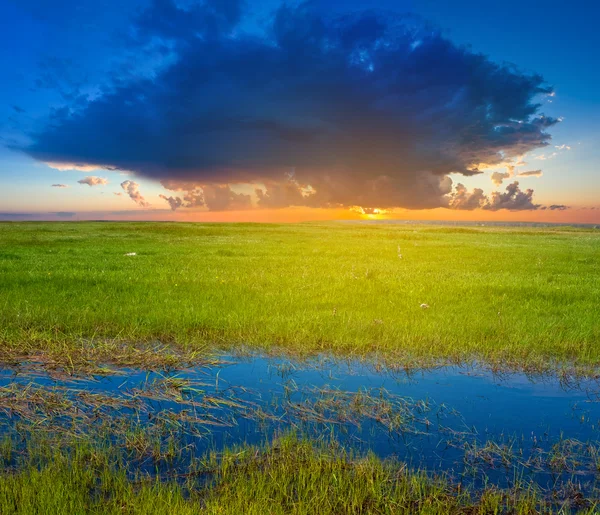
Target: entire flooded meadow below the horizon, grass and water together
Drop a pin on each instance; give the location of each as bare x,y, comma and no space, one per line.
112,335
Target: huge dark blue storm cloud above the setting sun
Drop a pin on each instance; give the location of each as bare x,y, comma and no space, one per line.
366,110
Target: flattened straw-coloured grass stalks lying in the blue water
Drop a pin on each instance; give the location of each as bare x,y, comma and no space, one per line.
189,410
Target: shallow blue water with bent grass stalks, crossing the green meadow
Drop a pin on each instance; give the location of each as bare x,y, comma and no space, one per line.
467,422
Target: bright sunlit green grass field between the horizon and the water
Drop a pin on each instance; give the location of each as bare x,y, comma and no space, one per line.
524,297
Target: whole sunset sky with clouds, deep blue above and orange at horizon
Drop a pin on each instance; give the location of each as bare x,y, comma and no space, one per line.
271,111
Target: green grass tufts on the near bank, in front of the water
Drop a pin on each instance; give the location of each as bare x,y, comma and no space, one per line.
290,476
